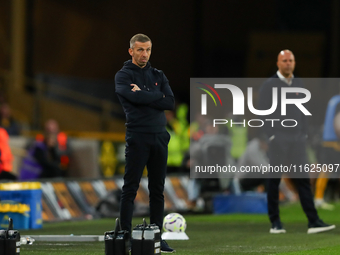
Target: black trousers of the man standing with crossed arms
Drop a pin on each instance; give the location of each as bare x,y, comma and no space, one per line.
150,150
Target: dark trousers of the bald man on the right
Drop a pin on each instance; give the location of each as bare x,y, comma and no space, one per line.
289,149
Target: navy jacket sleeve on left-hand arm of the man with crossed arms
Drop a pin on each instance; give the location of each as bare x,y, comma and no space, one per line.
123,88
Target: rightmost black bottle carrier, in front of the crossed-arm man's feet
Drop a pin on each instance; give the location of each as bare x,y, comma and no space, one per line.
146,239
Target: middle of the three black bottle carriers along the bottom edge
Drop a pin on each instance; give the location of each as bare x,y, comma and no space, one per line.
117,241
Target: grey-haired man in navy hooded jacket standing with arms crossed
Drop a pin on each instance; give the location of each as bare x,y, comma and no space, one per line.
144,93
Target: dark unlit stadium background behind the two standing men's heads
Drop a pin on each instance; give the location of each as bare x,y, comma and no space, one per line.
231,38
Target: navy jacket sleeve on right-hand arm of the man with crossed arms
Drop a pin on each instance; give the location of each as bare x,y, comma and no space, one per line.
168,101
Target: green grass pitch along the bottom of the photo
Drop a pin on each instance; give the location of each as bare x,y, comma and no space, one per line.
210,234
